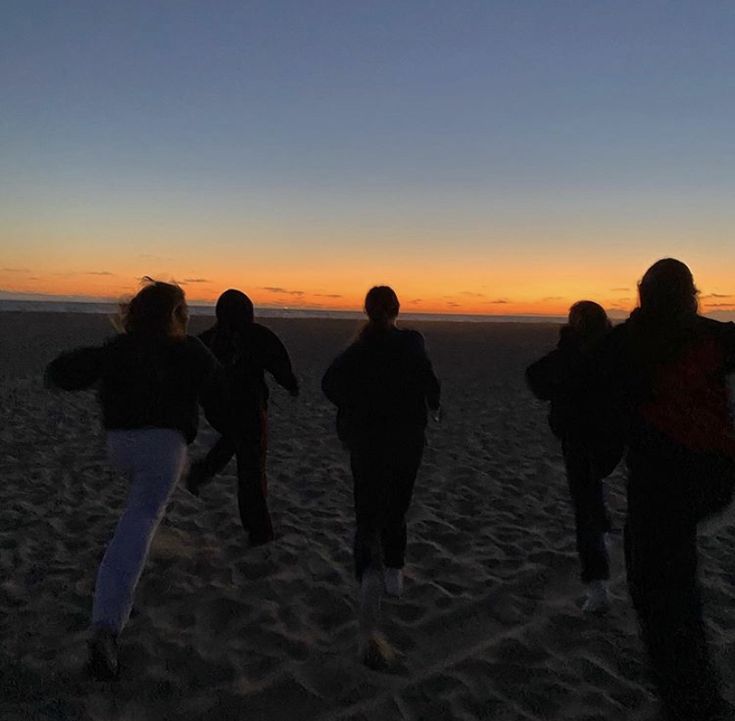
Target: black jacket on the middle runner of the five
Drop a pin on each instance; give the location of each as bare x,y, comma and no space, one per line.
382,383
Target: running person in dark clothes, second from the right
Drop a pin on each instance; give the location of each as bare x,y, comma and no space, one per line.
591,443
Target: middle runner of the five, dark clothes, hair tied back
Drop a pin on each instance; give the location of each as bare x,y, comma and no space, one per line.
382,385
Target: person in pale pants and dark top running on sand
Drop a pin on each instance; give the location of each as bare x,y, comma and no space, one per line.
150,379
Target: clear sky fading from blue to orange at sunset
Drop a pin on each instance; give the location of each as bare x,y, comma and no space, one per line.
491,157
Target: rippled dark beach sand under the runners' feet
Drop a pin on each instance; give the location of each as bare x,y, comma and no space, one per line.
489,626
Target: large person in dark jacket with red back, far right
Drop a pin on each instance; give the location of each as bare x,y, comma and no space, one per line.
667,367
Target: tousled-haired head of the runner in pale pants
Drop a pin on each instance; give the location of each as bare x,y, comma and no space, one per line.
158,309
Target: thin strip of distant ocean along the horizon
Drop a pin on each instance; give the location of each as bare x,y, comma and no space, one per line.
44,306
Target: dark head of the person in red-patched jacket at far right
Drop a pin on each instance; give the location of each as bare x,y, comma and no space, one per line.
667,290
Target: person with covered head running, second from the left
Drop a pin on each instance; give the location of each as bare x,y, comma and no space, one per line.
246,350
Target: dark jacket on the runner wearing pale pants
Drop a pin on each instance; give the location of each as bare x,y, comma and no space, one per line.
143,381
